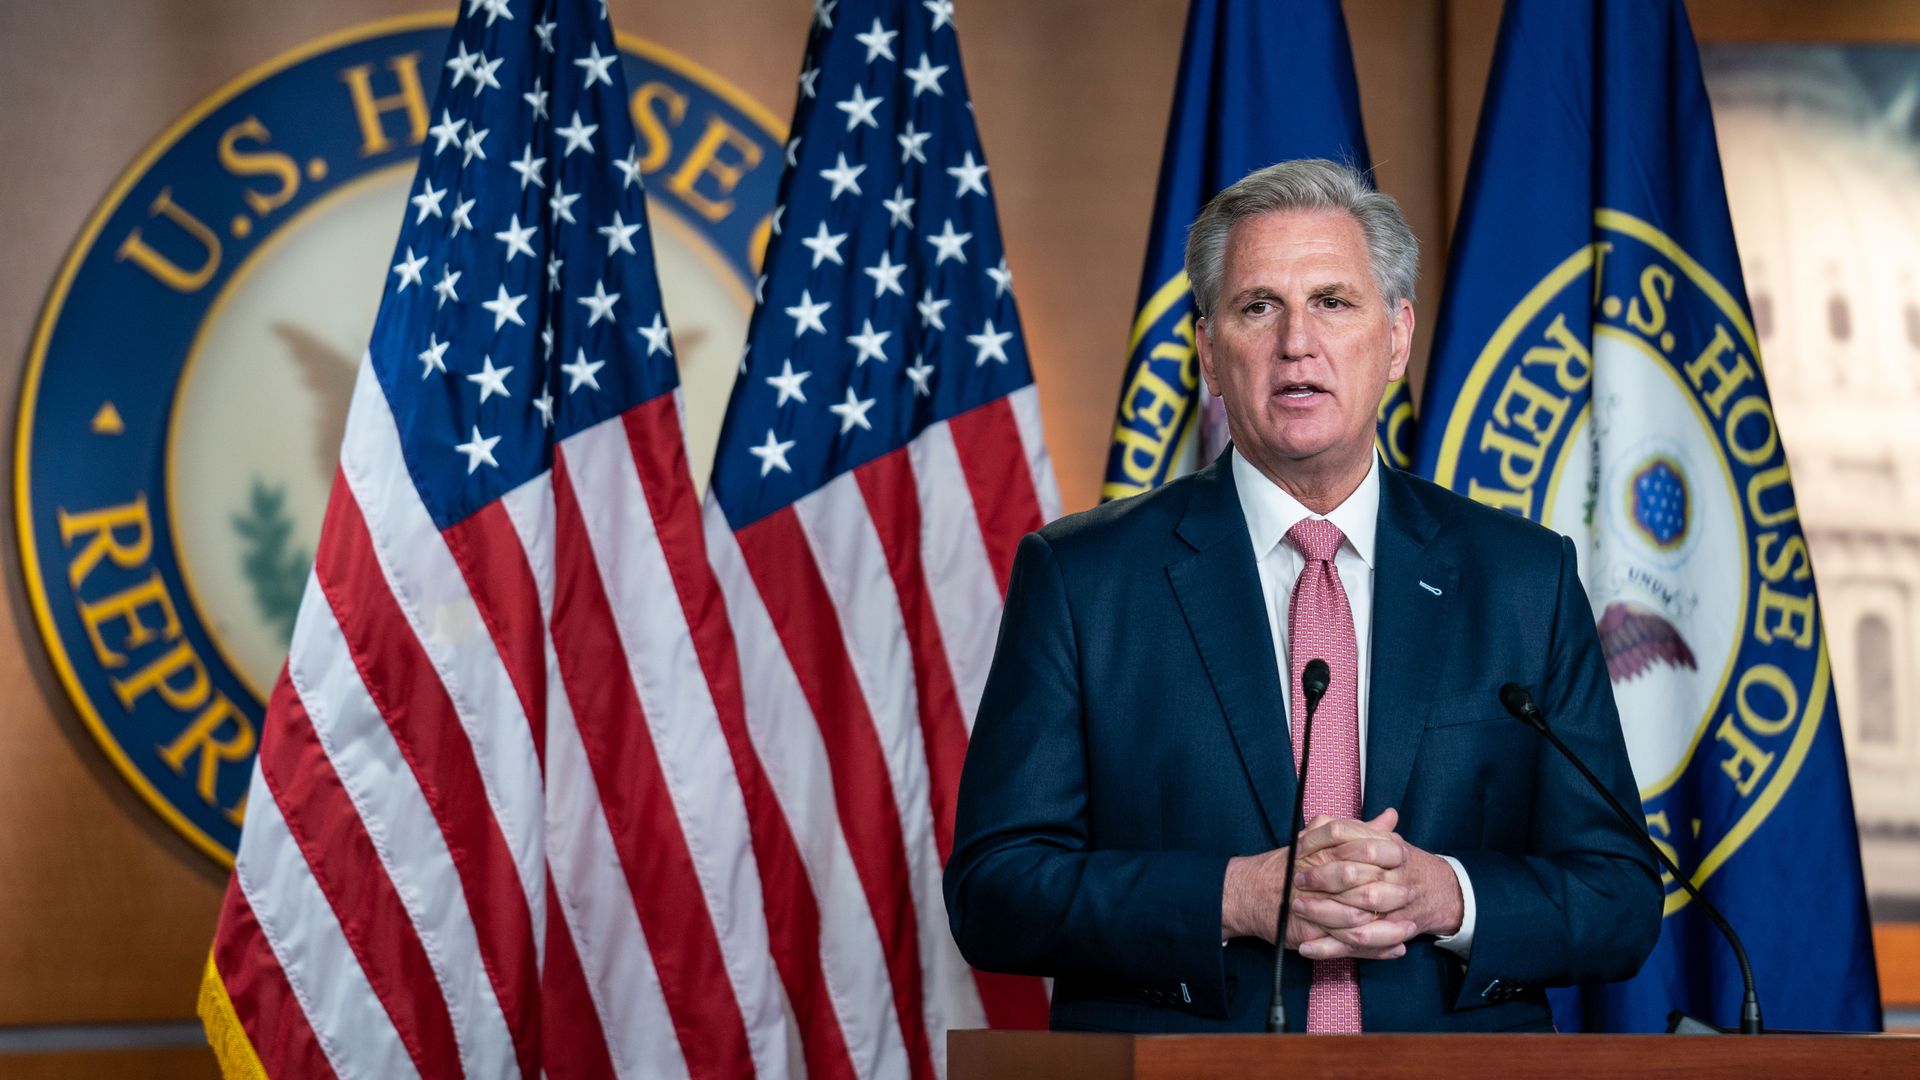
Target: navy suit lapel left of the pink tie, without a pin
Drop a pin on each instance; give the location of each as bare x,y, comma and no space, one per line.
1226,612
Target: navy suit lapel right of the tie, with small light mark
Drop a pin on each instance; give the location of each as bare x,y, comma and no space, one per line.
1412,597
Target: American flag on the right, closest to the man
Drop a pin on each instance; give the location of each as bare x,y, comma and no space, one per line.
880,462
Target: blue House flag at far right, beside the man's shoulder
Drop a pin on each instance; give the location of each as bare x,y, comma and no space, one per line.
1596,370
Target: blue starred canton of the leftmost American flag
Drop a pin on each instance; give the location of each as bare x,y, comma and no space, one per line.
523,303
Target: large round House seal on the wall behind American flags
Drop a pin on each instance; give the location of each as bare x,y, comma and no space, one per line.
189,380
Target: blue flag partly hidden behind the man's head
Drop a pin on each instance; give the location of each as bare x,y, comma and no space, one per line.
1243,101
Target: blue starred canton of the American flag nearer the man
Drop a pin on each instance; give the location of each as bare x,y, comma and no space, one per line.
886,305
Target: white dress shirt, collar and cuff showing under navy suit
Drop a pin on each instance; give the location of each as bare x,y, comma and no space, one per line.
1270,514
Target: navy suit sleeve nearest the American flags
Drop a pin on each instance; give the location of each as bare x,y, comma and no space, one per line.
1026,889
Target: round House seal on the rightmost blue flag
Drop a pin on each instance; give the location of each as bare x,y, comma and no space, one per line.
1654,445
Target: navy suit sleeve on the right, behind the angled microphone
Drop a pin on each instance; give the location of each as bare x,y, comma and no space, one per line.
1585,902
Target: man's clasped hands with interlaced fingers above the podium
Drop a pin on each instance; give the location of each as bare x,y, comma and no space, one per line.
1360,891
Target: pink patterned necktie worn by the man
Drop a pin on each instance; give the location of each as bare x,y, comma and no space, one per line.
1320,624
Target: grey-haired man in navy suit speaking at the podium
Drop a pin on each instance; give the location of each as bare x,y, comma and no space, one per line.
1130,787
